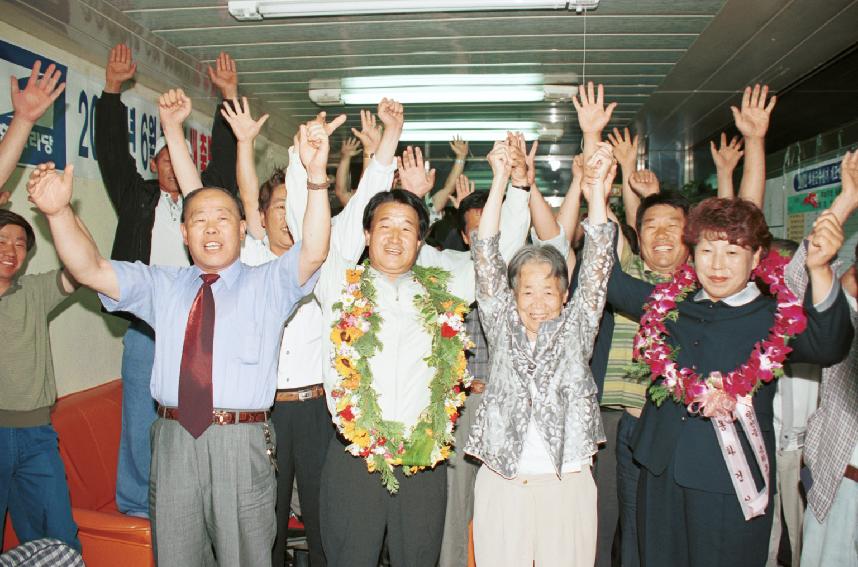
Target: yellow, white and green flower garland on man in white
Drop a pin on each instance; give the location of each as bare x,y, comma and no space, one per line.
385,444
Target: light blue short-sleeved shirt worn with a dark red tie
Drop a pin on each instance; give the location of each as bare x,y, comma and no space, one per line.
251,305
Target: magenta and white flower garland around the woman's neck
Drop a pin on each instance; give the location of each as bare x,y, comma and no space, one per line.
716,394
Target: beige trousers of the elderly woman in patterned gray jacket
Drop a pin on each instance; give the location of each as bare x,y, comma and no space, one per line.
535,520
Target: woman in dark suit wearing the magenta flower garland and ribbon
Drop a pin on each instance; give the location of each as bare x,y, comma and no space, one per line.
713,343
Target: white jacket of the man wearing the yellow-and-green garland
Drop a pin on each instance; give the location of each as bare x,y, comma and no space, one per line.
401,376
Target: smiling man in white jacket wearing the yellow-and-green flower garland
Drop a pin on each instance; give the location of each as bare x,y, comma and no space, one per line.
356,509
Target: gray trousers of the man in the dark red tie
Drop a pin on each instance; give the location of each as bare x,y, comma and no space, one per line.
212,498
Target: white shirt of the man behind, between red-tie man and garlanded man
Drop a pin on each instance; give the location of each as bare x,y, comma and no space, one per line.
300,361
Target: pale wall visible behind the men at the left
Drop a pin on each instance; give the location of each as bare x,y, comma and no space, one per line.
87,345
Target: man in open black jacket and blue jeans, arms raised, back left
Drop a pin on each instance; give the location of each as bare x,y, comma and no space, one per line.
148,230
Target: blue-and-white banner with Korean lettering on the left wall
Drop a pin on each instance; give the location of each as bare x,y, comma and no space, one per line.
66,133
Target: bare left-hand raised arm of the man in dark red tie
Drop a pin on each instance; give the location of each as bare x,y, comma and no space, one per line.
51,193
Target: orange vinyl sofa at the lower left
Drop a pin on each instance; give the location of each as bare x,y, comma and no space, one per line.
88,425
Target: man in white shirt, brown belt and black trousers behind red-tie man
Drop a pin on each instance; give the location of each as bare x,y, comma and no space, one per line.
300,416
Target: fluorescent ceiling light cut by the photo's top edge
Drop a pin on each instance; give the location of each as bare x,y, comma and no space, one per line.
258,9
